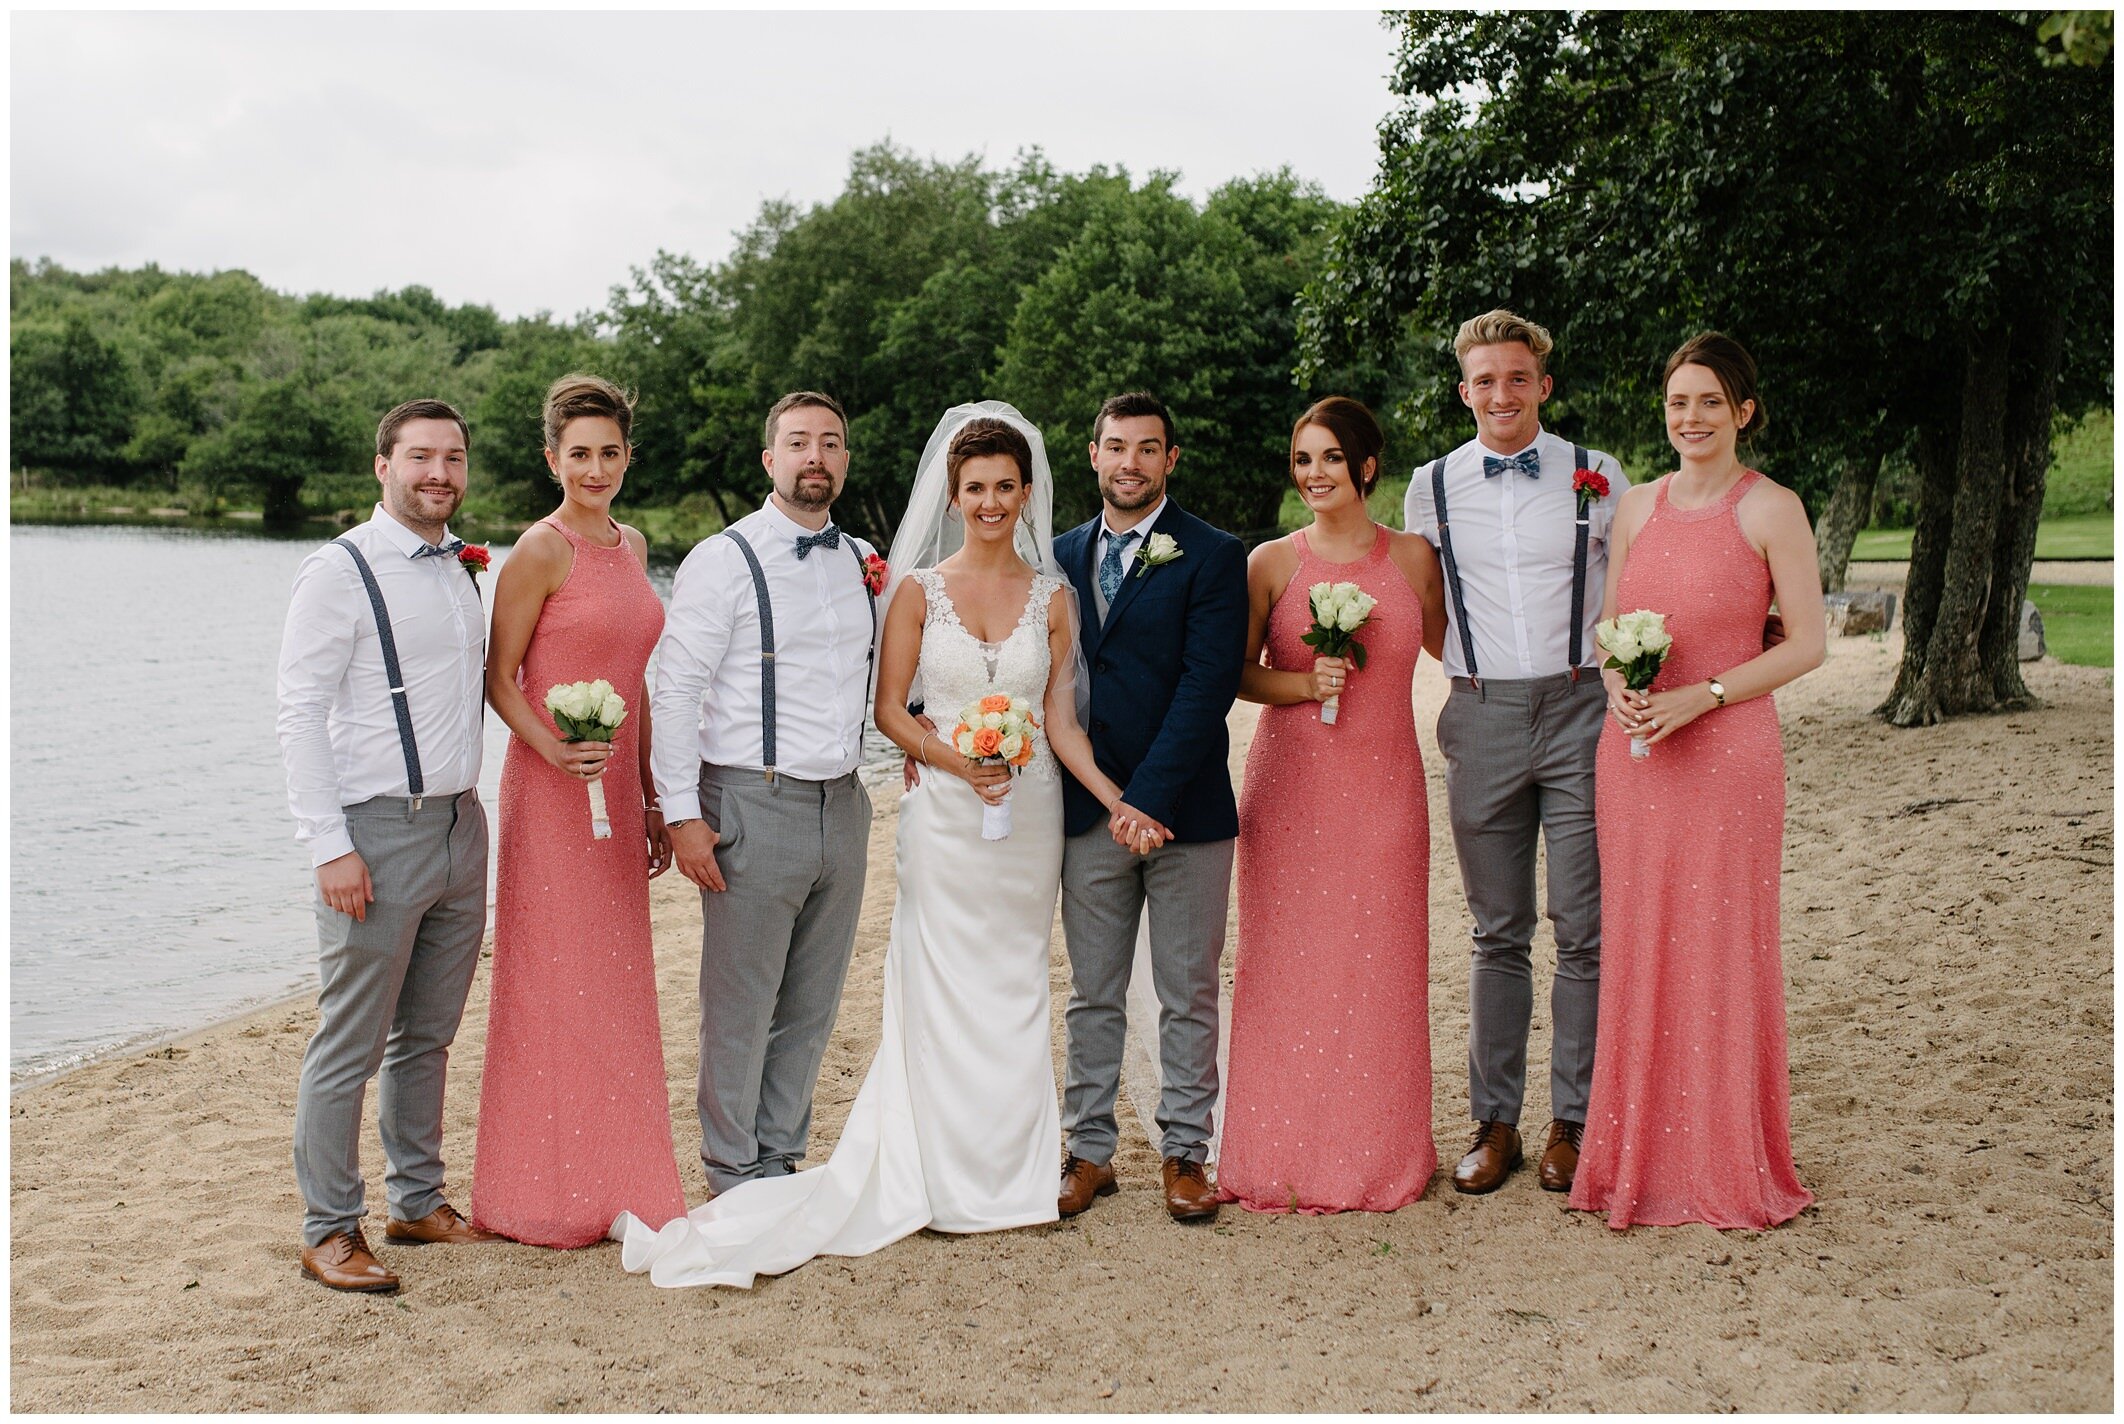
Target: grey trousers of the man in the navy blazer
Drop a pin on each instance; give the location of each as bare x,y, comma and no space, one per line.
1103,894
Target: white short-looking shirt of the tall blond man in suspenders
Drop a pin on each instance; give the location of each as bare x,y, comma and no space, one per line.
1513,543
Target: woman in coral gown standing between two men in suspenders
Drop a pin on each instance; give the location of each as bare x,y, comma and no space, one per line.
575,1111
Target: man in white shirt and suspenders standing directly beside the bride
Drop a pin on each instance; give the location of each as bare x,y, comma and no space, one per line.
768,656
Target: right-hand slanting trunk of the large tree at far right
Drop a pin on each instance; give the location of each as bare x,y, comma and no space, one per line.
2032,403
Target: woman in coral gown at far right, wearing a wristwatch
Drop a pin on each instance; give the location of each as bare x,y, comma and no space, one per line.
1692,1102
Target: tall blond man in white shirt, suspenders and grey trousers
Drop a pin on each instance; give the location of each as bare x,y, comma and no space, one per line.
1526,560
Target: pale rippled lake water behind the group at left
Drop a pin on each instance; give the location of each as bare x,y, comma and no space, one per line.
156,879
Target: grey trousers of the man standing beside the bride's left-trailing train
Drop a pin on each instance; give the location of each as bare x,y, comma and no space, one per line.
774,957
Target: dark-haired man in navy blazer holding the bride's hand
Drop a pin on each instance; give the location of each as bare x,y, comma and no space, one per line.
1165,634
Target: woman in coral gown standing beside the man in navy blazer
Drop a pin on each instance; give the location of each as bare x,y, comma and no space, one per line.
1329,1094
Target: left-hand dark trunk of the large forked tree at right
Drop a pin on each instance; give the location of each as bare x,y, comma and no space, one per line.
1951,677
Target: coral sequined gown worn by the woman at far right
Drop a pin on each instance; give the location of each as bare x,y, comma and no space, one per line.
1692,1100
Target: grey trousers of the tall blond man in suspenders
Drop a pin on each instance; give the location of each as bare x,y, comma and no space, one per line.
1520,766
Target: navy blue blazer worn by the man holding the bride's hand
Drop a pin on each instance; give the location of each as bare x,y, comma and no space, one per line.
1165,671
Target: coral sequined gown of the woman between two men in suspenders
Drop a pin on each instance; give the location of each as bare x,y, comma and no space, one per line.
575,1111
